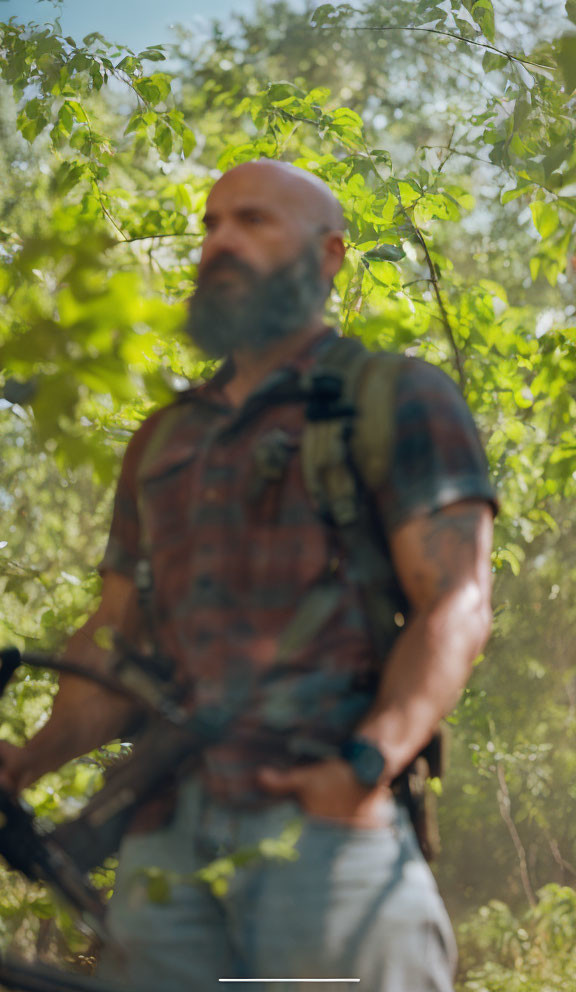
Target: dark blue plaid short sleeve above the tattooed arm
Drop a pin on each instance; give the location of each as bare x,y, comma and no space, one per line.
436,456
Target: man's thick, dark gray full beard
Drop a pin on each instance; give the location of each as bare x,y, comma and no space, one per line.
271,308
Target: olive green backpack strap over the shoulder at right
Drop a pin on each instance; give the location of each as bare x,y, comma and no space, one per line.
350,442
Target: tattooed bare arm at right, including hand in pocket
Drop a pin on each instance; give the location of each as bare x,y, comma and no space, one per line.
443,563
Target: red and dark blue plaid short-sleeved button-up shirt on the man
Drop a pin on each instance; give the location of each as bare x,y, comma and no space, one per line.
233,555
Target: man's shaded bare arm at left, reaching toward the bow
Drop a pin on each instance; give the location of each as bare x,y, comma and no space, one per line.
85,715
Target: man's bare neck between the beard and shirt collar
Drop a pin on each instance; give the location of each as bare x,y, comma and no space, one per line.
252,367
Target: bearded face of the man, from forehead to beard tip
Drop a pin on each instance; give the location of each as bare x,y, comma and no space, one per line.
259,277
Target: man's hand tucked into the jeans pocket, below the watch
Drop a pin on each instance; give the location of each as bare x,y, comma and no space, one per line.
329,790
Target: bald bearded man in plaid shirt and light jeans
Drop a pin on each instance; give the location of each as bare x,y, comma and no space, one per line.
233,554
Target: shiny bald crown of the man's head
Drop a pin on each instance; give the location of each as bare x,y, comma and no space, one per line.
300,191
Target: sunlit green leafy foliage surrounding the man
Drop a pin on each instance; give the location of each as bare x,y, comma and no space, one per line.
454,158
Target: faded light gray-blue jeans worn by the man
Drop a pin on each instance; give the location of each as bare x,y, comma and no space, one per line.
356,903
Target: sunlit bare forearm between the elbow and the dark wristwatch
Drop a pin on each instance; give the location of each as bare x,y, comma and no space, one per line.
423,679
